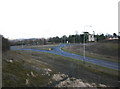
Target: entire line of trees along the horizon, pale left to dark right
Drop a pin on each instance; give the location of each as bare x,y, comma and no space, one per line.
78,38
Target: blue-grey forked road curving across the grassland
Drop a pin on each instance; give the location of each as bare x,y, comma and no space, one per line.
57,50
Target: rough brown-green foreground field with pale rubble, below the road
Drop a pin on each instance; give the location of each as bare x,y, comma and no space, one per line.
38,69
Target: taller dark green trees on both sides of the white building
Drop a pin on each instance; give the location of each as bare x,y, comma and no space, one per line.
76,38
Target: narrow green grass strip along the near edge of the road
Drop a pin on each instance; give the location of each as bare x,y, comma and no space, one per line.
93,67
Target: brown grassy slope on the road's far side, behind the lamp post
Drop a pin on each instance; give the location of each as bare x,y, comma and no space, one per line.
105,50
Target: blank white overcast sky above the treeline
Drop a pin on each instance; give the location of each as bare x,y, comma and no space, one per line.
49,18
